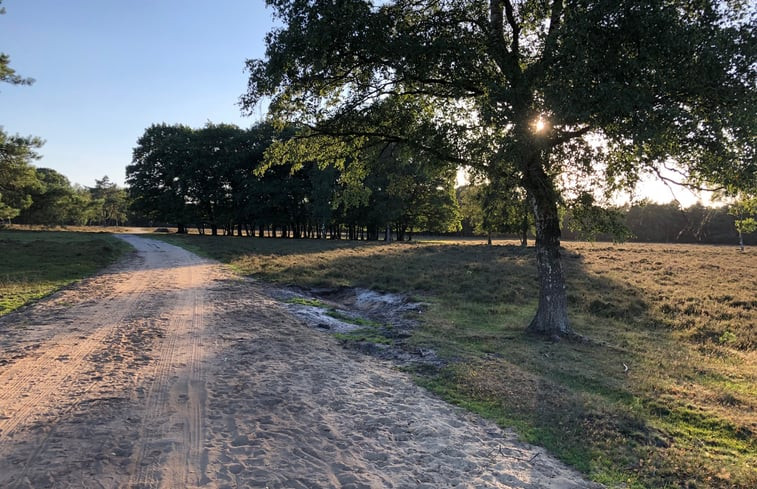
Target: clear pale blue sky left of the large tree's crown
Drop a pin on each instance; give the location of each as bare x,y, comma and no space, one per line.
107,69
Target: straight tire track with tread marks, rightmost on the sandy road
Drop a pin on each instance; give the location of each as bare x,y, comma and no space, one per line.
172,432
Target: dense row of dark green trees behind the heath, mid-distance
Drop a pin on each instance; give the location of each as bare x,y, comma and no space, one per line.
214,178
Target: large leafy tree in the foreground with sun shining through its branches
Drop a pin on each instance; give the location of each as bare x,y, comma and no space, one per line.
522,89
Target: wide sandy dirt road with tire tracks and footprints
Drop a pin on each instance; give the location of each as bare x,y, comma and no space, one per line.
167,371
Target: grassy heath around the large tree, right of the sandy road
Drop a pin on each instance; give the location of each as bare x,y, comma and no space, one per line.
665,394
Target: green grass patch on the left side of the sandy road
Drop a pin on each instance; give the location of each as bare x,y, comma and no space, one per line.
34,264
